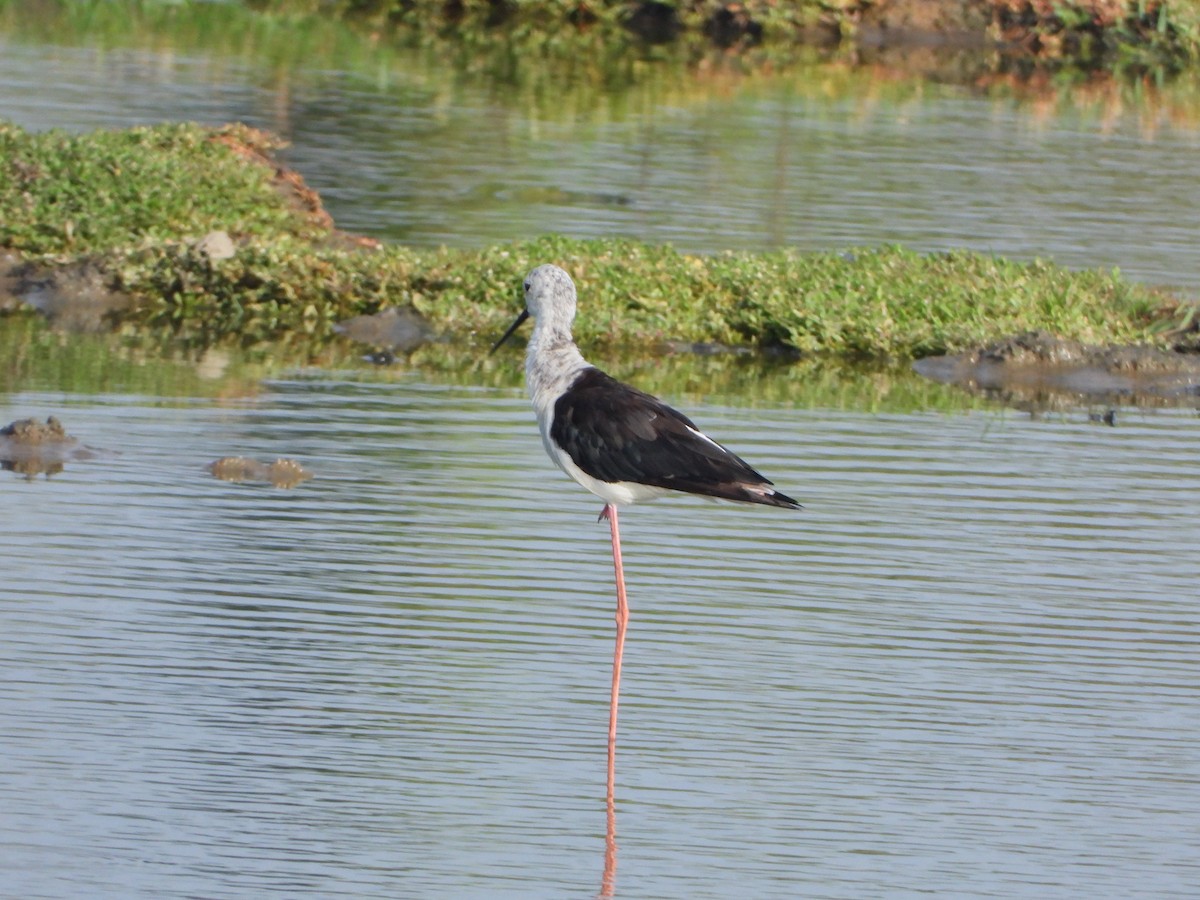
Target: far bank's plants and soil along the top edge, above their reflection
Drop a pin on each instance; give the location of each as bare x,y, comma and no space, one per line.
1090,33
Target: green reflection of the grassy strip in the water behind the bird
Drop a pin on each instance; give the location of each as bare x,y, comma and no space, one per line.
35,358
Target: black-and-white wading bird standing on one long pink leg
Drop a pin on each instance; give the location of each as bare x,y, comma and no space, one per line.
620,443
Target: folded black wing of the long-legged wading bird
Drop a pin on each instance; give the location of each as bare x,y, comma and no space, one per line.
617,434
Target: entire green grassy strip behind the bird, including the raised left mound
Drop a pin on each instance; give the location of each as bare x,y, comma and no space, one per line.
134,203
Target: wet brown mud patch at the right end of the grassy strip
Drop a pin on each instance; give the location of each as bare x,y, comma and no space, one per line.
1040,371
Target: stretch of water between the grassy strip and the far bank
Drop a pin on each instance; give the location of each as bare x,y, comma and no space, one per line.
409,148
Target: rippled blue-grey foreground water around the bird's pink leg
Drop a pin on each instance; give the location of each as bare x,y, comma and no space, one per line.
969,667
